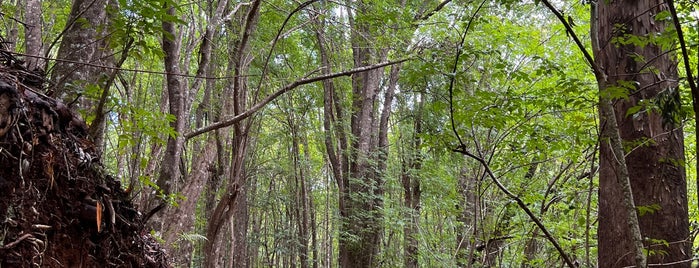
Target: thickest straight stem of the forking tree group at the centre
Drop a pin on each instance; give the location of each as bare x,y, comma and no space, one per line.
361,228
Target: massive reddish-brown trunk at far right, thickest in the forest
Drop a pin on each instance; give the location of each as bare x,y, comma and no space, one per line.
655,152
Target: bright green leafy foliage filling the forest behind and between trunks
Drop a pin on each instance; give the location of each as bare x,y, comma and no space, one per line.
523,99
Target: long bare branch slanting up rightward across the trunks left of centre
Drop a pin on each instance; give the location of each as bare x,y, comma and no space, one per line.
237,118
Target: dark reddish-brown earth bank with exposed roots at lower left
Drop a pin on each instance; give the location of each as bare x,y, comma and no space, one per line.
58,208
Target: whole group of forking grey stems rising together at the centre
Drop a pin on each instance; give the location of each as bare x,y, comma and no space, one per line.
358,157
